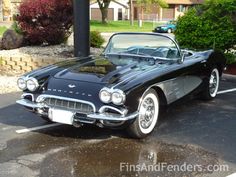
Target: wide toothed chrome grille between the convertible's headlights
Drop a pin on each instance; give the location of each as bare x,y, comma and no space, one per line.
77,106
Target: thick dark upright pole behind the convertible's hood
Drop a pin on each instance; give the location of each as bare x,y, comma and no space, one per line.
81,28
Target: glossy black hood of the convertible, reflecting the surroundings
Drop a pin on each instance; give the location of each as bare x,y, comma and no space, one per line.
102,70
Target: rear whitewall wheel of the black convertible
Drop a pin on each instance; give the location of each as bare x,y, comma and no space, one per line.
213,85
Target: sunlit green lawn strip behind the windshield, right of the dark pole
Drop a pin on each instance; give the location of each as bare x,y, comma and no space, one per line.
122,26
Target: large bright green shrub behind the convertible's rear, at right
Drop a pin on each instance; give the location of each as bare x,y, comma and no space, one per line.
211,25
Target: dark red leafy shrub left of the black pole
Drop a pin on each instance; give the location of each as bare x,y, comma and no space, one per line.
45,21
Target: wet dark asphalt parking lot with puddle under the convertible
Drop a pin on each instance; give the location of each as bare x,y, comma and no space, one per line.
191,132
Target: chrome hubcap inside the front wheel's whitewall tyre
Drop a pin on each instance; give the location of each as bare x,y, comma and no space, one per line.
147,113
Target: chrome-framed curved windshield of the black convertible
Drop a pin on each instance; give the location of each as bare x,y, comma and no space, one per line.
146,45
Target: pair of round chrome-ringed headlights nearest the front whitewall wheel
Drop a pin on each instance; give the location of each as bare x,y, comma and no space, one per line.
111,96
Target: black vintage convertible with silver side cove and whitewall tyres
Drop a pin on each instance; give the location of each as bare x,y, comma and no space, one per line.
125,86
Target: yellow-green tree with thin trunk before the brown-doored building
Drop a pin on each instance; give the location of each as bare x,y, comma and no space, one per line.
146,4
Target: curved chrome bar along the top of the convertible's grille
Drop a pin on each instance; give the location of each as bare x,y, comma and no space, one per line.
44,96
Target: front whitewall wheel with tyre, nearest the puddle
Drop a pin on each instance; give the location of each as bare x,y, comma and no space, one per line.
148,115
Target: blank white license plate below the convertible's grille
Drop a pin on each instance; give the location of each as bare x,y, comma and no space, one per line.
61,116
